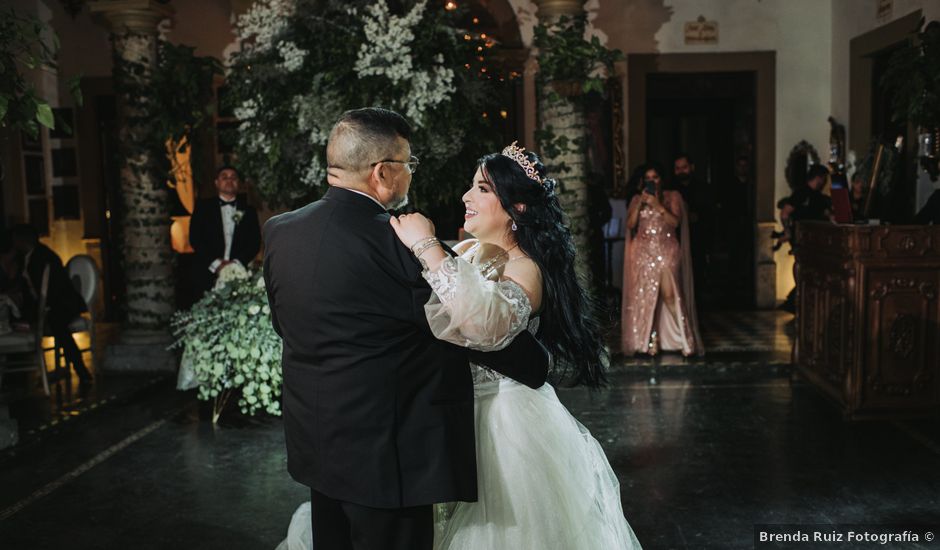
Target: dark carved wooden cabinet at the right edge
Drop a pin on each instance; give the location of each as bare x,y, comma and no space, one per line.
867,316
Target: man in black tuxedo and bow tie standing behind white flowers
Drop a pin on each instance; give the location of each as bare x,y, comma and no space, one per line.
222,230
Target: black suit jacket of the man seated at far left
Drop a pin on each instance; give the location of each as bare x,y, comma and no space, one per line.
63,300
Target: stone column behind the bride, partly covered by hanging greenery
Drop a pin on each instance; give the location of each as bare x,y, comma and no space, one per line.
565,116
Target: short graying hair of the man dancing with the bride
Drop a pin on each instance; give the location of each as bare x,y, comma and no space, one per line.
364,136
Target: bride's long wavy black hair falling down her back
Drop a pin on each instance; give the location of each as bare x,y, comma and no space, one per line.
569,327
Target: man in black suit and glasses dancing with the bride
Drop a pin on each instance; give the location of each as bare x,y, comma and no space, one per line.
378,414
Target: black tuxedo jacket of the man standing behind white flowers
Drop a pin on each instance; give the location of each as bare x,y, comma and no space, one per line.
208,240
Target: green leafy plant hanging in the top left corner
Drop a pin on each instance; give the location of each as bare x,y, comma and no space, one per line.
26,44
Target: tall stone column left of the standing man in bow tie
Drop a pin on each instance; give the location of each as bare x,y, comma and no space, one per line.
144,219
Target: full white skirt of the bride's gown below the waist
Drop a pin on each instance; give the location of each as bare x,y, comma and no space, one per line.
544,481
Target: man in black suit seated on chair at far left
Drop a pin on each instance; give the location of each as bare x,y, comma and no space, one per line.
63,300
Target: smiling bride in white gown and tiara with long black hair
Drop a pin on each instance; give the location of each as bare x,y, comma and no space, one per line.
544,481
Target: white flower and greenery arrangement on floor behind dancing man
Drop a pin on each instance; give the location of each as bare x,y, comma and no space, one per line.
229,344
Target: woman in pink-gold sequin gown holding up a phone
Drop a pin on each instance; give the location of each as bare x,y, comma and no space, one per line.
658,298
